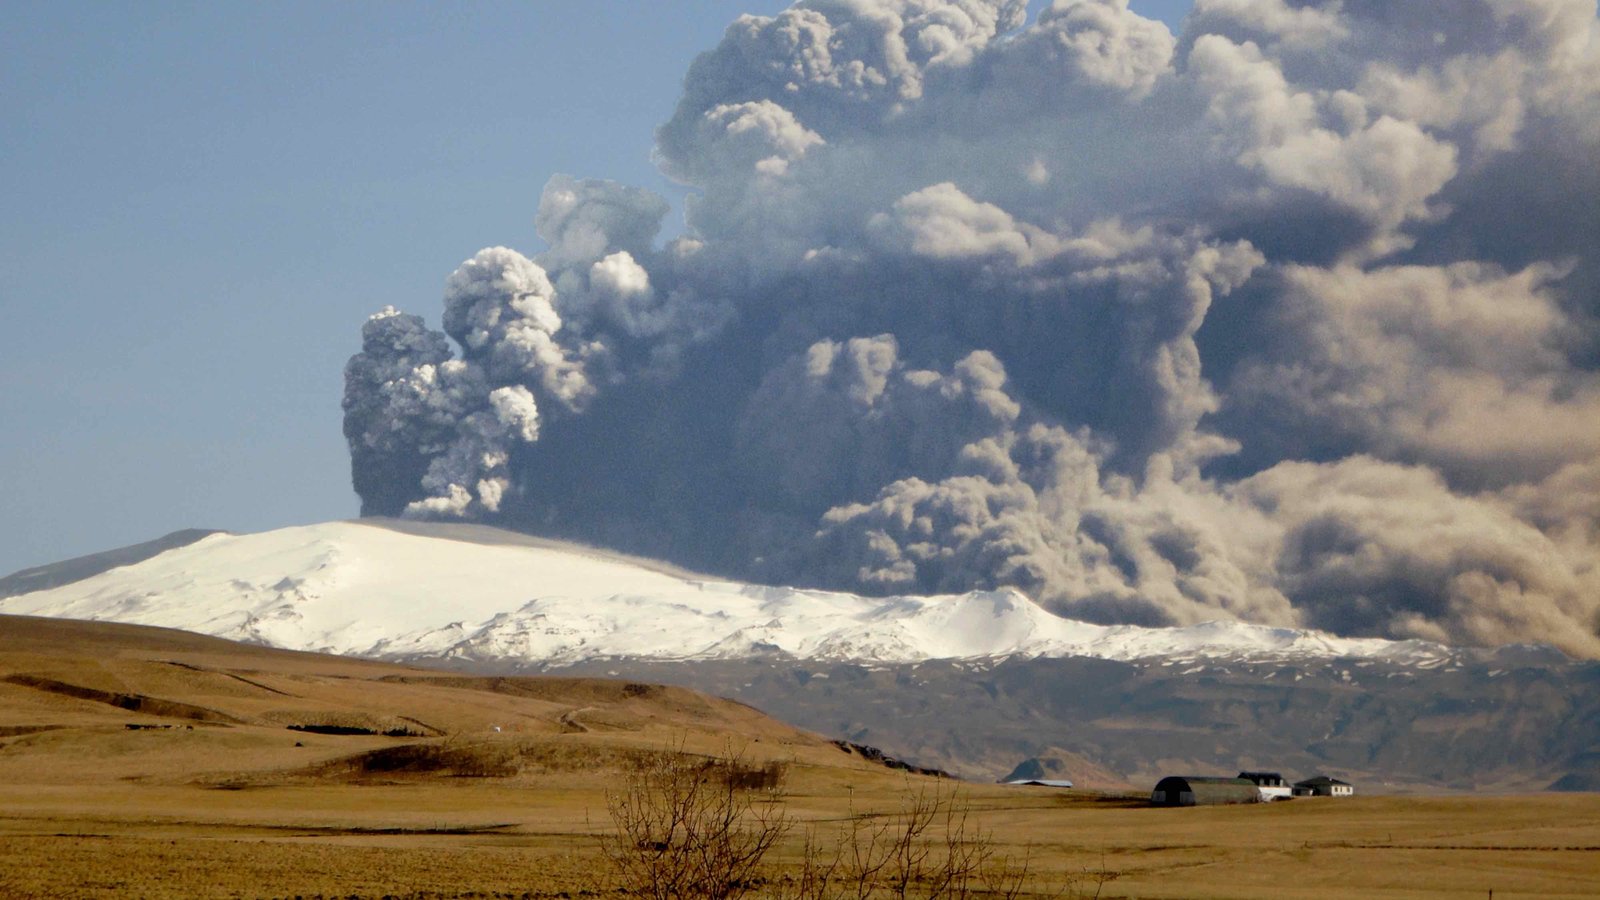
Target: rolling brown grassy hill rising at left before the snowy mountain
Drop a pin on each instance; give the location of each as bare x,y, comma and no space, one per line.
114,702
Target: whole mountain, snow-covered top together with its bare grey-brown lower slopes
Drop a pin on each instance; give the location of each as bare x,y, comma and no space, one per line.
969,683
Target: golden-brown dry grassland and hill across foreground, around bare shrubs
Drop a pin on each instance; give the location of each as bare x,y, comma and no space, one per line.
145,763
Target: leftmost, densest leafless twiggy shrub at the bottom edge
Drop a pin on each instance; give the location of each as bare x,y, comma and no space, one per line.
690,827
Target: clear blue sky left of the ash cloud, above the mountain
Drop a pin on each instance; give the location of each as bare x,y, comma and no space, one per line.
204,203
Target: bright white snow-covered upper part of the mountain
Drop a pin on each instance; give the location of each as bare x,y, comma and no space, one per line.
375,592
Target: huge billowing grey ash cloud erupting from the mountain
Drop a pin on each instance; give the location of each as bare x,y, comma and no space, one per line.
1292,318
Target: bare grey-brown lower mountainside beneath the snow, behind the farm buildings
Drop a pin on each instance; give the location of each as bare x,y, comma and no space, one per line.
1468,725
